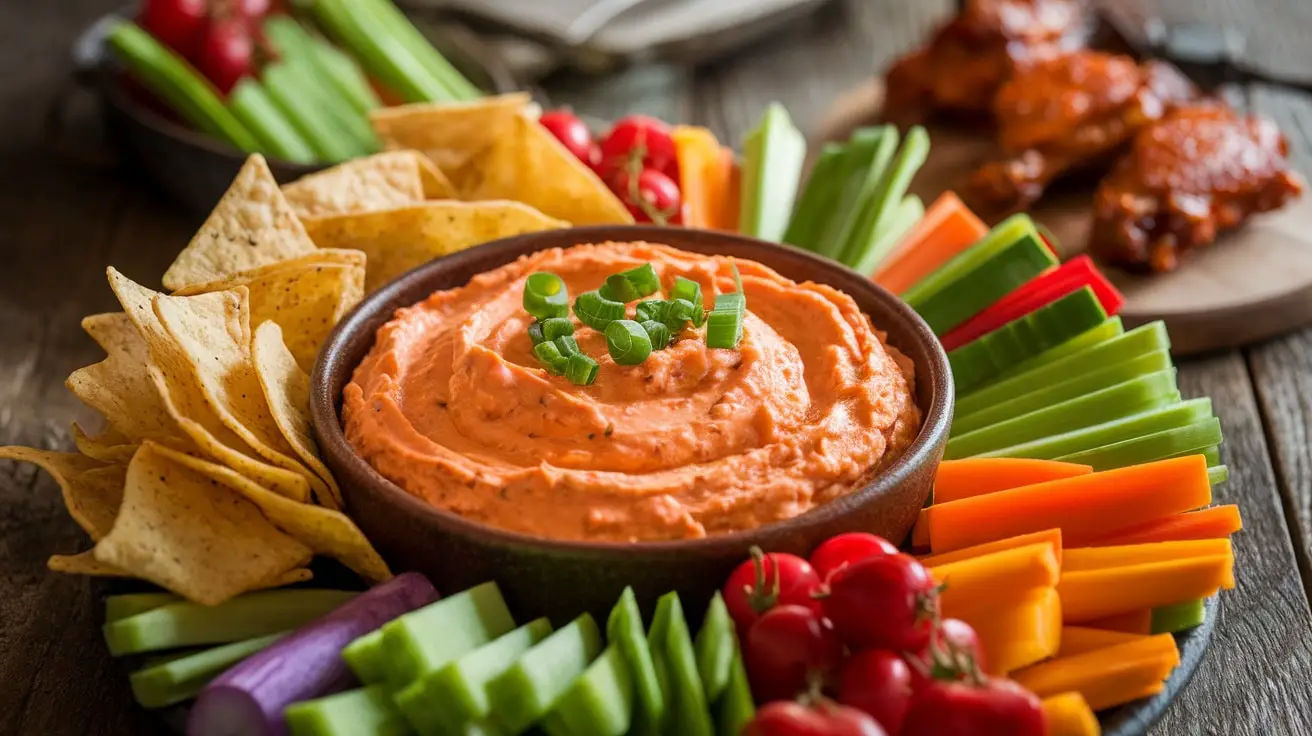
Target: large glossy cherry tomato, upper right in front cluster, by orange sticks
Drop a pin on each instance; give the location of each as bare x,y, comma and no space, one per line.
888,602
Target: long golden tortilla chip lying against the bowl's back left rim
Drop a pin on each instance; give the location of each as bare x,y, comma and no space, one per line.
398,241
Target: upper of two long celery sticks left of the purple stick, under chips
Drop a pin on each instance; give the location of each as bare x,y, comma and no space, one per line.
245,617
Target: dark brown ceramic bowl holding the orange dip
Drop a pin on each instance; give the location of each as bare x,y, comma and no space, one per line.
560,579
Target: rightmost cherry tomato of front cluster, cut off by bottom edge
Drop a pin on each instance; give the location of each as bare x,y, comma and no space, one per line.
991,708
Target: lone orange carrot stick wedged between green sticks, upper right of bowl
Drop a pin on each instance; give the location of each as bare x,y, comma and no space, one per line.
948,229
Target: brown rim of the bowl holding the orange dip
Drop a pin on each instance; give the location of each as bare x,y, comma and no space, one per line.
333,441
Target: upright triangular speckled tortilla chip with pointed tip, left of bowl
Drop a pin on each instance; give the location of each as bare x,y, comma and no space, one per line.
253,226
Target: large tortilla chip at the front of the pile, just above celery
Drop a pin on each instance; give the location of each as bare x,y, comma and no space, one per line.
186,533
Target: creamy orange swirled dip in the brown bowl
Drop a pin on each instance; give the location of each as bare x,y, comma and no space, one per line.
452,406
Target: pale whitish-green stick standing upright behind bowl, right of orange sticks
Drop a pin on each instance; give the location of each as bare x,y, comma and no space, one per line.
772,163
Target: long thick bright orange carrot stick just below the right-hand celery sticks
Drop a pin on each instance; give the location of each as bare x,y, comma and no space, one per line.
1084,507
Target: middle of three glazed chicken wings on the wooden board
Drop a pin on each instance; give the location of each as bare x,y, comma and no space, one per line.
1069,113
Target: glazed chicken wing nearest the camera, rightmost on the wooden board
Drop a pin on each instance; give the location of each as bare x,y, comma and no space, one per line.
1201,170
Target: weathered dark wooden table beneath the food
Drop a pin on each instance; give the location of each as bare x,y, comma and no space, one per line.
61,225
